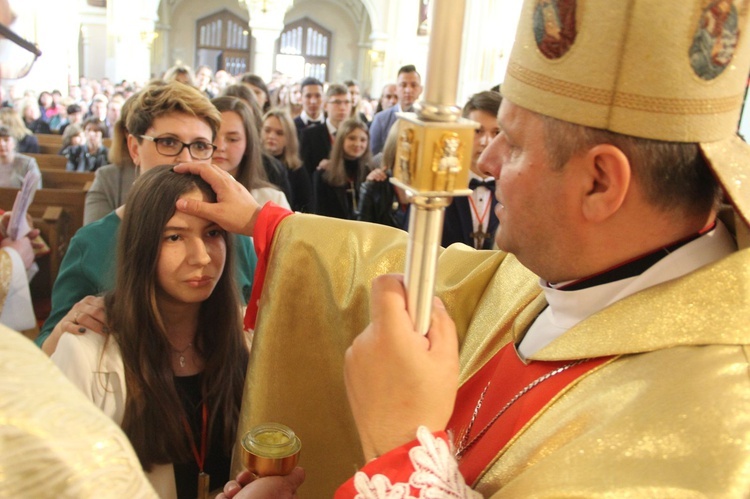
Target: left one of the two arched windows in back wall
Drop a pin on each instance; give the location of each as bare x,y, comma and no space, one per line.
223,42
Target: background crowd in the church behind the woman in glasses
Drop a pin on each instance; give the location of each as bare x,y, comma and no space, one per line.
301,166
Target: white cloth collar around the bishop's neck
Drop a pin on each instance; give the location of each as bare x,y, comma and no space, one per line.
568,308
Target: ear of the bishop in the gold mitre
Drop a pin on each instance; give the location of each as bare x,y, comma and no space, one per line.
608,181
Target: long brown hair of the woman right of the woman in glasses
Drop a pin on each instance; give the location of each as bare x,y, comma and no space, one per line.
250,171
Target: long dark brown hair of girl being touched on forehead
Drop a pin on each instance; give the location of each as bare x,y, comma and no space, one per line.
153,411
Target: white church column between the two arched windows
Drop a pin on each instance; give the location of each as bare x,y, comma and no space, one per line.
266,24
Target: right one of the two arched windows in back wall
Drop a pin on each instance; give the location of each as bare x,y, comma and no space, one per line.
311,41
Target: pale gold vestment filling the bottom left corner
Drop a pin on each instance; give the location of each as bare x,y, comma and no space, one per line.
53,441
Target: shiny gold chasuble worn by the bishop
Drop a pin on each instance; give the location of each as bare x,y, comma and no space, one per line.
679,382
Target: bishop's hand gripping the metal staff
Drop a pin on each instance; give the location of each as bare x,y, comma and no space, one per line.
397,379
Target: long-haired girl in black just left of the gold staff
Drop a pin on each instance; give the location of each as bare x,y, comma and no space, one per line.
337,186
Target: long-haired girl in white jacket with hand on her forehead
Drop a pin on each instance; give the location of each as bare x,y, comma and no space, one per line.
172,369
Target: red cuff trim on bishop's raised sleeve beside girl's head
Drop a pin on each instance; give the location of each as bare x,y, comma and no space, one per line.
269,218
